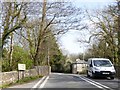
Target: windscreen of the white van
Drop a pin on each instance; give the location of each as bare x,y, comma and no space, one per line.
102,63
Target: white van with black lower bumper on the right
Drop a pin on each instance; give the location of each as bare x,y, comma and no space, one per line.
100,67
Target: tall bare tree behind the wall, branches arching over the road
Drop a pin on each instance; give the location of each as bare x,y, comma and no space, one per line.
55,17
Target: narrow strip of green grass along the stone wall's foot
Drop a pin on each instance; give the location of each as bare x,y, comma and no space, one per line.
22,81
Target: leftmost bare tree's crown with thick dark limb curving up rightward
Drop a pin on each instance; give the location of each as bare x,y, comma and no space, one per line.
13,18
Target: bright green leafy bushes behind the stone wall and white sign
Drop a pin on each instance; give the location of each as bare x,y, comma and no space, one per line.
19,56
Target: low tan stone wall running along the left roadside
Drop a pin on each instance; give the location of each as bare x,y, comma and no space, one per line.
10,77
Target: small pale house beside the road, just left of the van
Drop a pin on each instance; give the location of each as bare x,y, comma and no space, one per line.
79,66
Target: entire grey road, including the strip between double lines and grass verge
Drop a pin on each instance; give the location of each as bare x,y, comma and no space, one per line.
70,82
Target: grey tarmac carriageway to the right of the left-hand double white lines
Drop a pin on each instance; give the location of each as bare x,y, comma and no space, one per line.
58,80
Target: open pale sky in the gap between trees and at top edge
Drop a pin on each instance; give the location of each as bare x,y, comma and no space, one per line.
69,41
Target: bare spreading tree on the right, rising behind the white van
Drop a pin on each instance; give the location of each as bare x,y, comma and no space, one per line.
105,24
